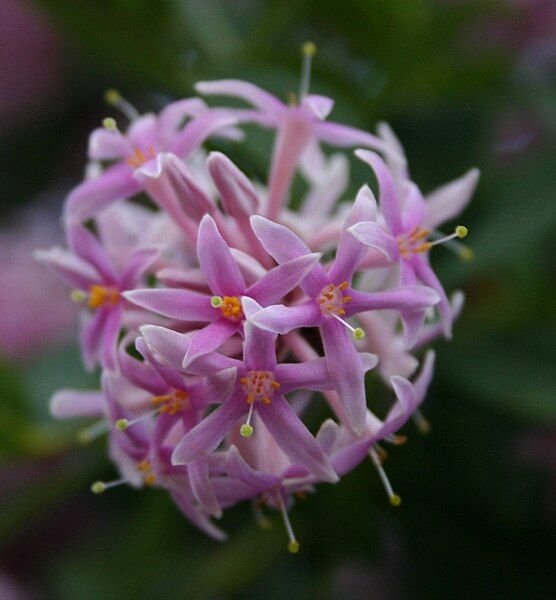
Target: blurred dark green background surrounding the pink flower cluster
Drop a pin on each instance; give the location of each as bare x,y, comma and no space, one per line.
464,83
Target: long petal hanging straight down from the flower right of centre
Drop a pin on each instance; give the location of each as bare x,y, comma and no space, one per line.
347,371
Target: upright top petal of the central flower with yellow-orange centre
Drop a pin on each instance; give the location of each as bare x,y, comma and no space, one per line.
217,262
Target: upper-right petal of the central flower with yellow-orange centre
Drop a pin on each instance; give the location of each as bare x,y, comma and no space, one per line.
281,280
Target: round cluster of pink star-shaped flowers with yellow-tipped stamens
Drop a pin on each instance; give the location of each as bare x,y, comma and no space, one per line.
215,311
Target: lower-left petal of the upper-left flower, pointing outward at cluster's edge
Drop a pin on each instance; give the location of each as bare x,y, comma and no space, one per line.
93,195
